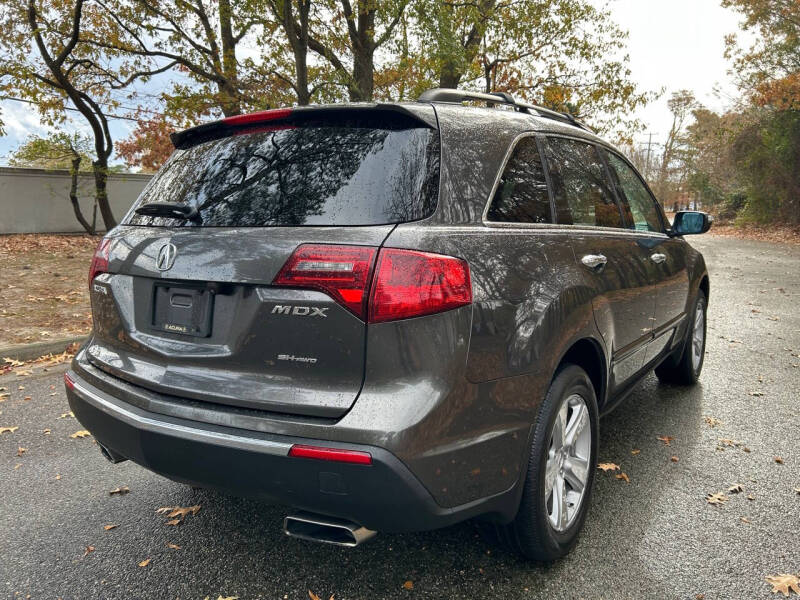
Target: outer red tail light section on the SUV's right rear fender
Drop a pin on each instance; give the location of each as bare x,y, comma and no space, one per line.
411,284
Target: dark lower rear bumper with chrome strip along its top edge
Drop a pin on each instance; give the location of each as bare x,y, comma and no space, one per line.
384,496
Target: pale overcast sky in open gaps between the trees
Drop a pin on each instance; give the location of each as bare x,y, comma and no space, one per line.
674,44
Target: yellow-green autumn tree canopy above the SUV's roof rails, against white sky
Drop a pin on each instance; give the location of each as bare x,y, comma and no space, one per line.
565,54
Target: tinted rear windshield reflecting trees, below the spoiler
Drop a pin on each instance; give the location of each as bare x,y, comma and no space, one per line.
342,173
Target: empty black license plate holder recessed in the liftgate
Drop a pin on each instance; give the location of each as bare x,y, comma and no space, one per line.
182,309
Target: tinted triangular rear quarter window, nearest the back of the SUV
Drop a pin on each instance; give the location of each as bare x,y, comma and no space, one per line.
521,195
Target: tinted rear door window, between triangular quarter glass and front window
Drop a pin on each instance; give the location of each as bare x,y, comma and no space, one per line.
582,192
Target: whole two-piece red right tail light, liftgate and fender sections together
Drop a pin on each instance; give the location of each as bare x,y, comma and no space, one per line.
405,283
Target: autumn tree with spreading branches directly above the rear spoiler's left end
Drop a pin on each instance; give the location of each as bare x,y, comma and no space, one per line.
201,40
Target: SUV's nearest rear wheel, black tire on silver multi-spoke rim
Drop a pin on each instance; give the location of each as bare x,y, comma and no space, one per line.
539,532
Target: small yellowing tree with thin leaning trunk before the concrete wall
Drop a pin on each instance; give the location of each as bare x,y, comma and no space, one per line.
58,151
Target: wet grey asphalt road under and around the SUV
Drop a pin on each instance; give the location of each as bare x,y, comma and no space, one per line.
655,537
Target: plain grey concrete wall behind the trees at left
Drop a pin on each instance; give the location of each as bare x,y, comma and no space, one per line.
37,201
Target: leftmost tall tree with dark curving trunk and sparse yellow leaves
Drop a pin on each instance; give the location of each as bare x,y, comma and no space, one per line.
45,61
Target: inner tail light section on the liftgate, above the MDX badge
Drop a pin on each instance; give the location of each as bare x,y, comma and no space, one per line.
342,272
